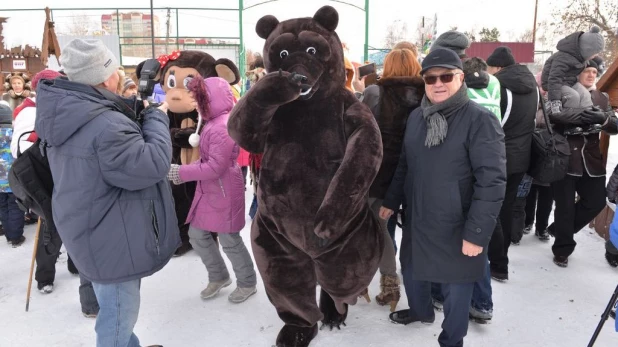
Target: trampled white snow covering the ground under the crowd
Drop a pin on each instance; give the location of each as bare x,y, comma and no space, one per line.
541,305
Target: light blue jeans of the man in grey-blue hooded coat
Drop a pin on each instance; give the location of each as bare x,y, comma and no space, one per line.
119,308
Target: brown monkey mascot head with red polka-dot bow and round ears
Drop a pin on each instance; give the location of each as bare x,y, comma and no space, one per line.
179,67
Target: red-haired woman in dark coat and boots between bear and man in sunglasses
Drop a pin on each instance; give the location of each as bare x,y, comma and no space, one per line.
391,100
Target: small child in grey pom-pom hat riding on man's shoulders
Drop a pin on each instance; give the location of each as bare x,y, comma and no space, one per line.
560,72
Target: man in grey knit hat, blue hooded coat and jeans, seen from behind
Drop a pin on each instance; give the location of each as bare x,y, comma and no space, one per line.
112,204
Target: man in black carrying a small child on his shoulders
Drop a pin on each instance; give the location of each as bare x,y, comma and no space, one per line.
586,170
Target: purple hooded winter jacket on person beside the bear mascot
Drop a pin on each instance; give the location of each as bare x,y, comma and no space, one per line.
219,202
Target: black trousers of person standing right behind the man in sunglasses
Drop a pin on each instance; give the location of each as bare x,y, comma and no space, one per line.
502,236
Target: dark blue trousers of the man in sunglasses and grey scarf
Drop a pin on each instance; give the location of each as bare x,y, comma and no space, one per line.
457,299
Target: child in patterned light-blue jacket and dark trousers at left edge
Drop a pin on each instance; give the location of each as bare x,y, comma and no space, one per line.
11,216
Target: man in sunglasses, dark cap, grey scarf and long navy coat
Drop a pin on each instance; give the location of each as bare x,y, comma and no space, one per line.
452,170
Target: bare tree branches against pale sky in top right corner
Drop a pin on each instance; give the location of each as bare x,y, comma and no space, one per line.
582,14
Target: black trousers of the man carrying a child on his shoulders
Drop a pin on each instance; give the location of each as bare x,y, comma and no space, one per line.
571,217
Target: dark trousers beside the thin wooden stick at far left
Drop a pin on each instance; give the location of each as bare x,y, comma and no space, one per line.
48,250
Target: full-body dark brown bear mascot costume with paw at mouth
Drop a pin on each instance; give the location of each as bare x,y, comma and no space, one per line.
322,149
